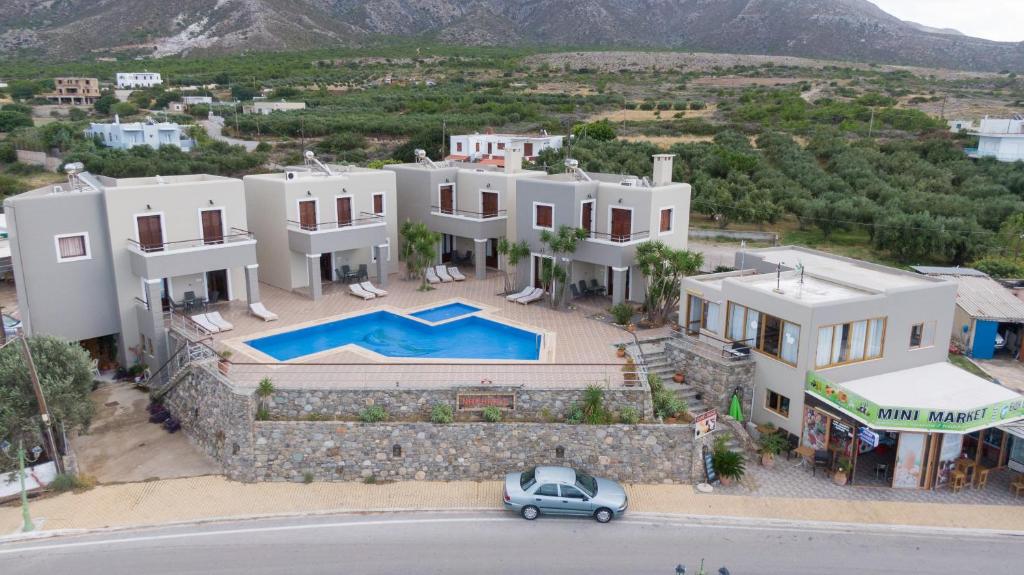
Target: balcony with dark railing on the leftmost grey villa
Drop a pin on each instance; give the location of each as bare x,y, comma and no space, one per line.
193,256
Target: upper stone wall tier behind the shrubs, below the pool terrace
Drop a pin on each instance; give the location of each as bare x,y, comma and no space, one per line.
531,405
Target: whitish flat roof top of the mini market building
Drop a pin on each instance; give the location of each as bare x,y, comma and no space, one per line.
844,271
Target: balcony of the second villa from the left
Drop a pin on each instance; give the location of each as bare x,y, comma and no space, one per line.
366,232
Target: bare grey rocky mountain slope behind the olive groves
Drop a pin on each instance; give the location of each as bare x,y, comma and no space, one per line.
847,30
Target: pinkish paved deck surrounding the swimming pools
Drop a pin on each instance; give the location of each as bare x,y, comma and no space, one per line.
580,350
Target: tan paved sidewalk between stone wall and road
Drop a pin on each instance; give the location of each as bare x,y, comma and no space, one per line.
215,498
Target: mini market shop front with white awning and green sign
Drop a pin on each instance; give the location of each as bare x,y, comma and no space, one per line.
922,428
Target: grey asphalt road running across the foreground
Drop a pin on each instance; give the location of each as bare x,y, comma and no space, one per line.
491,544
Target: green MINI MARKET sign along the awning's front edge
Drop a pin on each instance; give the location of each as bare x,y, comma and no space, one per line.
914,419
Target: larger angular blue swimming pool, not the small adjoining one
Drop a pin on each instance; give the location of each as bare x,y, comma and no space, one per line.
398,336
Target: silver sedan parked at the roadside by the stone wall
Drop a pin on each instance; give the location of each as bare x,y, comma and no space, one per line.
552,491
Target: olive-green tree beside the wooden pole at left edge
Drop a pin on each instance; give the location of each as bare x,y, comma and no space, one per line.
66,378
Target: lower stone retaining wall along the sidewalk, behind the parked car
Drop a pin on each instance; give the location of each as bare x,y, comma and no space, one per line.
645,454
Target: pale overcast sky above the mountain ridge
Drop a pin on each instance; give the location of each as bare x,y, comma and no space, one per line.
996,20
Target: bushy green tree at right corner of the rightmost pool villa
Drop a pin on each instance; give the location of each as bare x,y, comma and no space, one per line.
665,269
